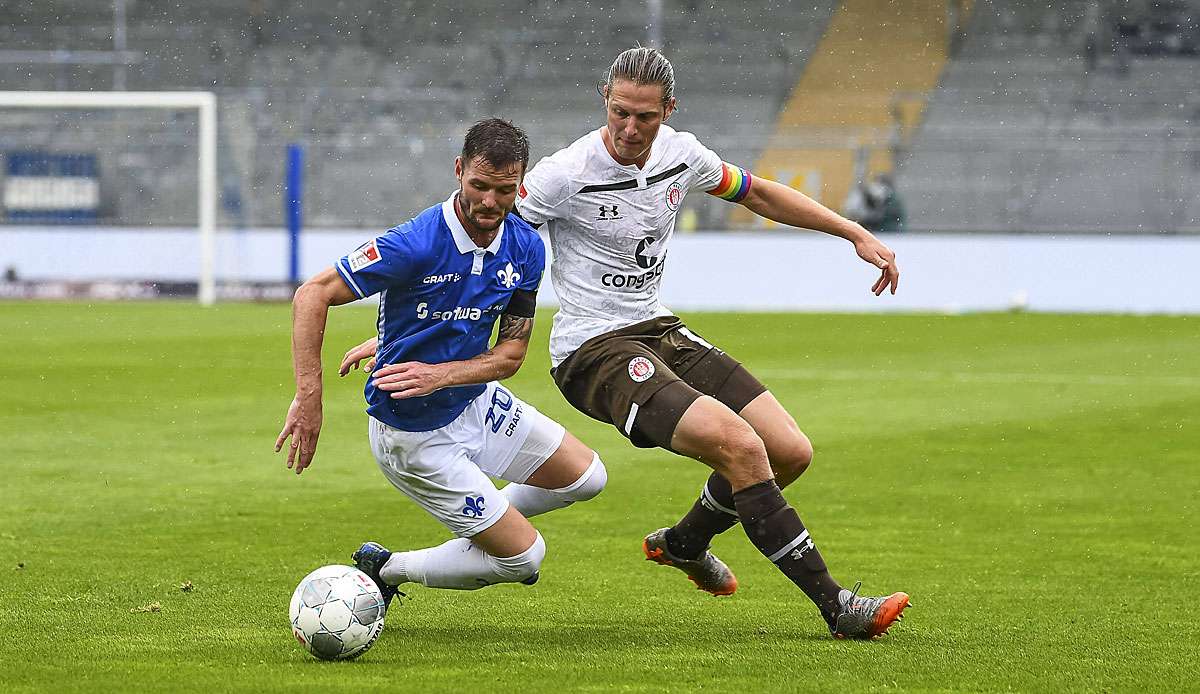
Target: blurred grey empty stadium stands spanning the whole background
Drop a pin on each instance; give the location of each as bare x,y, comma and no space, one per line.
1075,117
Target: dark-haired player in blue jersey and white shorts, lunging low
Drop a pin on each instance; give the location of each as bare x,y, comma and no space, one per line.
445,426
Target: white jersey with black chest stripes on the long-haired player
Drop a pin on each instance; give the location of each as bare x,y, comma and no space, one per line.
609,228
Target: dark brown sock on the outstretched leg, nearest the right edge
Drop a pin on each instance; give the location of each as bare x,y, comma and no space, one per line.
775,528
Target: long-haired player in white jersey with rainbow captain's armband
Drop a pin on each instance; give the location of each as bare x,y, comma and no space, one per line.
609,202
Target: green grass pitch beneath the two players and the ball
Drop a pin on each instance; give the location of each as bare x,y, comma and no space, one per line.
1033,481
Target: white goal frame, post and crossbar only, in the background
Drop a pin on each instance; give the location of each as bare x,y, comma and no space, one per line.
207,124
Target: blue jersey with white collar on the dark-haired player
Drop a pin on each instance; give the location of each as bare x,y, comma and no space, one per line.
440,297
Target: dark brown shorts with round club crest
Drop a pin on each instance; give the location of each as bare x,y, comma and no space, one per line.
644,378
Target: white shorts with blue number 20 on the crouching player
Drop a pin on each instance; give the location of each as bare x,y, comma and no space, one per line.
447,471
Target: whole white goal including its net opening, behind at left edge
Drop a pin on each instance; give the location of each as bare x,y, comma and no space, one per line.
111,192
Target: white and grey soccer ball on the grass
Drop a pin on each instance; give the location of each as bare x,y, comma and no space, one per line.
337,613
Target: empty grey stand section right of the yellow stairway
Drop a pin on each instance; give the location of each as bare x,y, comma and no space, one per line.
1028,133
